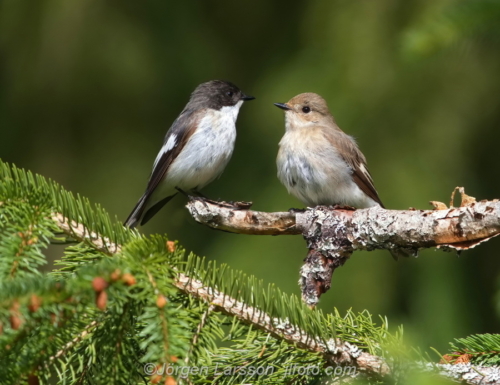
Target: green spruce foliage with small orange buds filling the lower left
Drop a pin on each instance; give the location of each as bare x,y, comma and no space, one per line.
113,309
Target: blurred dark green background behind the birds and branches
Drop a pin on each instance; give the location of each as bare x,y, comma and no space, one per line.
89,88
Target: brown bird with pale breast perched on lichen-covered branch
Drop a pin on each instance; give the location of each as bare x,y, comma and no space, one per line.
317,162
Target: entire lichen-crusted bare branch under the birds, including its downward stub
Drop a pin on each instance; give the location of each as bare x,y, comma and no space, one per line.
333,233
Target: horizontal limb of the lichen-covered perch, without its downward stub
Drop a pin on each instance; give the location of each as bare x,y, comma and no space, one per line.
374,228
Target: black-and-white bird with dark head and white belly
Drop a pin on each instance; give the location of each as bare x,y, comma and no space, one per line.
196,149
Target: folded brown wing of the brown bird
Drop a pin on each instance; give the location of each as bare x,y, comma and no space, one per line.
355,159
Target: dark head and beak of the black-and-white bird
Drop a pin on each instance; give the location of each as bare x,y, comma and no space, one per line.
217,94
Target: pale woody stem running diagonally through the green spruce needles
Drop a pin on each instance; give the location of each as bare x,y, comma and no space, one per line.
335,352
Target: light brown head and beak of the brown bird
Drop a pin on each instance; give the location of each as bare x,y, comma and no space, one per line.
306,109
